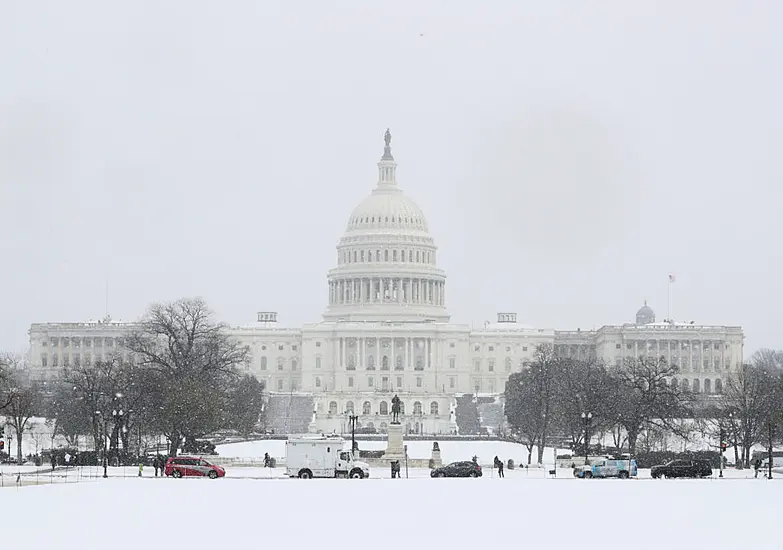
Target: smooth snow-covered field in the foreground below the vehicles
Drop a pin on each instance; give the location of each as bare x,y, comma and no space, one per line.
521,510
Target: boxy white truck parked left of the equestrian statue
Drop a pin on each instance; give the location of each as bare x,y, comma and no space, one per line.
321,456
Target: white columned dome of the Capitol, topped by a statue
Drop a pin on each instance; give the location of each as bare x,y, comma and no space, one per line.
386,260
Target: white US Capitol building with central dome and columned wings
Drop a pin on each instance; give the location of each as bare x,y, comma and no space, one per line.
386,331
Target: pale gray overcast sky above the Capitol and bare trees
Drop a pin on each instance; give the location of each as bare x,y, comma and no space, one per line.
568,155
